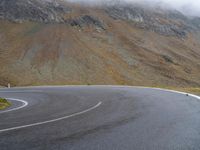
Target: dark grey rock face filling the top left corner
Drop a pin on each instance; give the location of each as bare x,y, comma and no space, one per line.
33,10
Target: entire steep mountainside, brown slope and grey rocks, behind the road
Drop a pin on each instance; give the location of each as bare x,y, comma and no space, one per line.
68,44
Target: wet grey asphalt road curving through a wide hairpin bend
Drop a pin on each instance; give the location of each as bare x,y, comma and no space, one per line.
99,118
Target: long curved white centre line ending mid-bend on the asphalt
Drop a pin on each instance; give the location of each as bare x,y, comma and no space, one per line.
53,120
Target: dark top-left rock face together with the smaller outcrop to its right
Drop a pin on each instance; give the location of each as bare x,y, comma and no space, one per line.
48,11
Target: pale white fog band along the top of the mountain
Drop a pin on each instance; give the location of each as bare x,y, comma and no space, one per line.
188,7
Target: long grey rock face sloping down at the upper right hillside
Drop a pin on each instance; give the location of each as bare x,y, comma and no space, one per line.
161,23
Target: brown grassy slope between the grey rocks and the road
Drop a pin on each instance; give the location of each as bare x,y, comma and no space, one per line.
41,54
